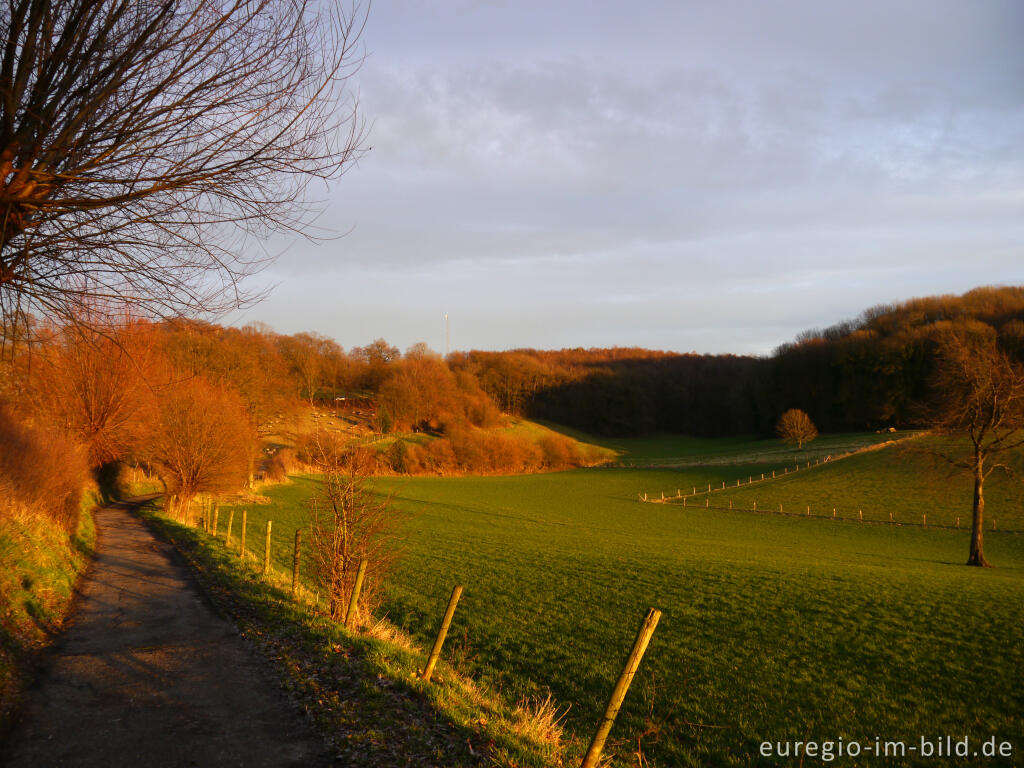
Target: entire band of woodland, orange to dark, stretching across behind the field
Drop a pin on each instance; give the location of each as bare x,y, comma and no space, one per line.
192,400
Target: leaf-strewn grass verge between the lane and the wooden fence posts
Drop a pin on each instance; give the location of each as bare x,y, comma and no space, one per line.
360,692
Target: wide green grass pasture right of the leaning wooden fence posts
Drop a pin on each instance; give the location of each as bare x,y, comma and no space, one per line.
775,628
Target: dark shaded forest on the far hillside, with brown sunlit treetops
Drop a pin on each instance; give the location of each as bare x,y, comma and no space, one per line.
869,373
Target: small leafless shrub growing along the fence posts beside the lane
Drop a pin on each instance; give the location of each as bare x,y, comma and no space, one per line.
349,525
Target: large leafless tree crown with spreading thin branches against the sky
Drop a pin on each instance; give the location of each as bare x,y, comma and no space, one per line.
142,142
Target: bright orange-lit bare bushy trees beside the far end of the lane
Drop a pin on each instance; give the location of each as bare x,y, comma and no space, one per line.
118,395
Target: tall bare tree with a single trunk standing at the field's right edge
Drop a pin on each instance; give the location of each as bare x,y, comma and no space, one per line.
978,393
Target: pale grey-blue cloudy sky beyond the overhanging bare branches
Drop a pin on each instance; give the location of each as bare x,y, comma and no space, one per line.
712,177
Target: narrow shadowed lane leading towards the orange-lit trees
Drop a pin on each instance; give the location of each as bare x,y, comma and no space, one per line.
149,675
